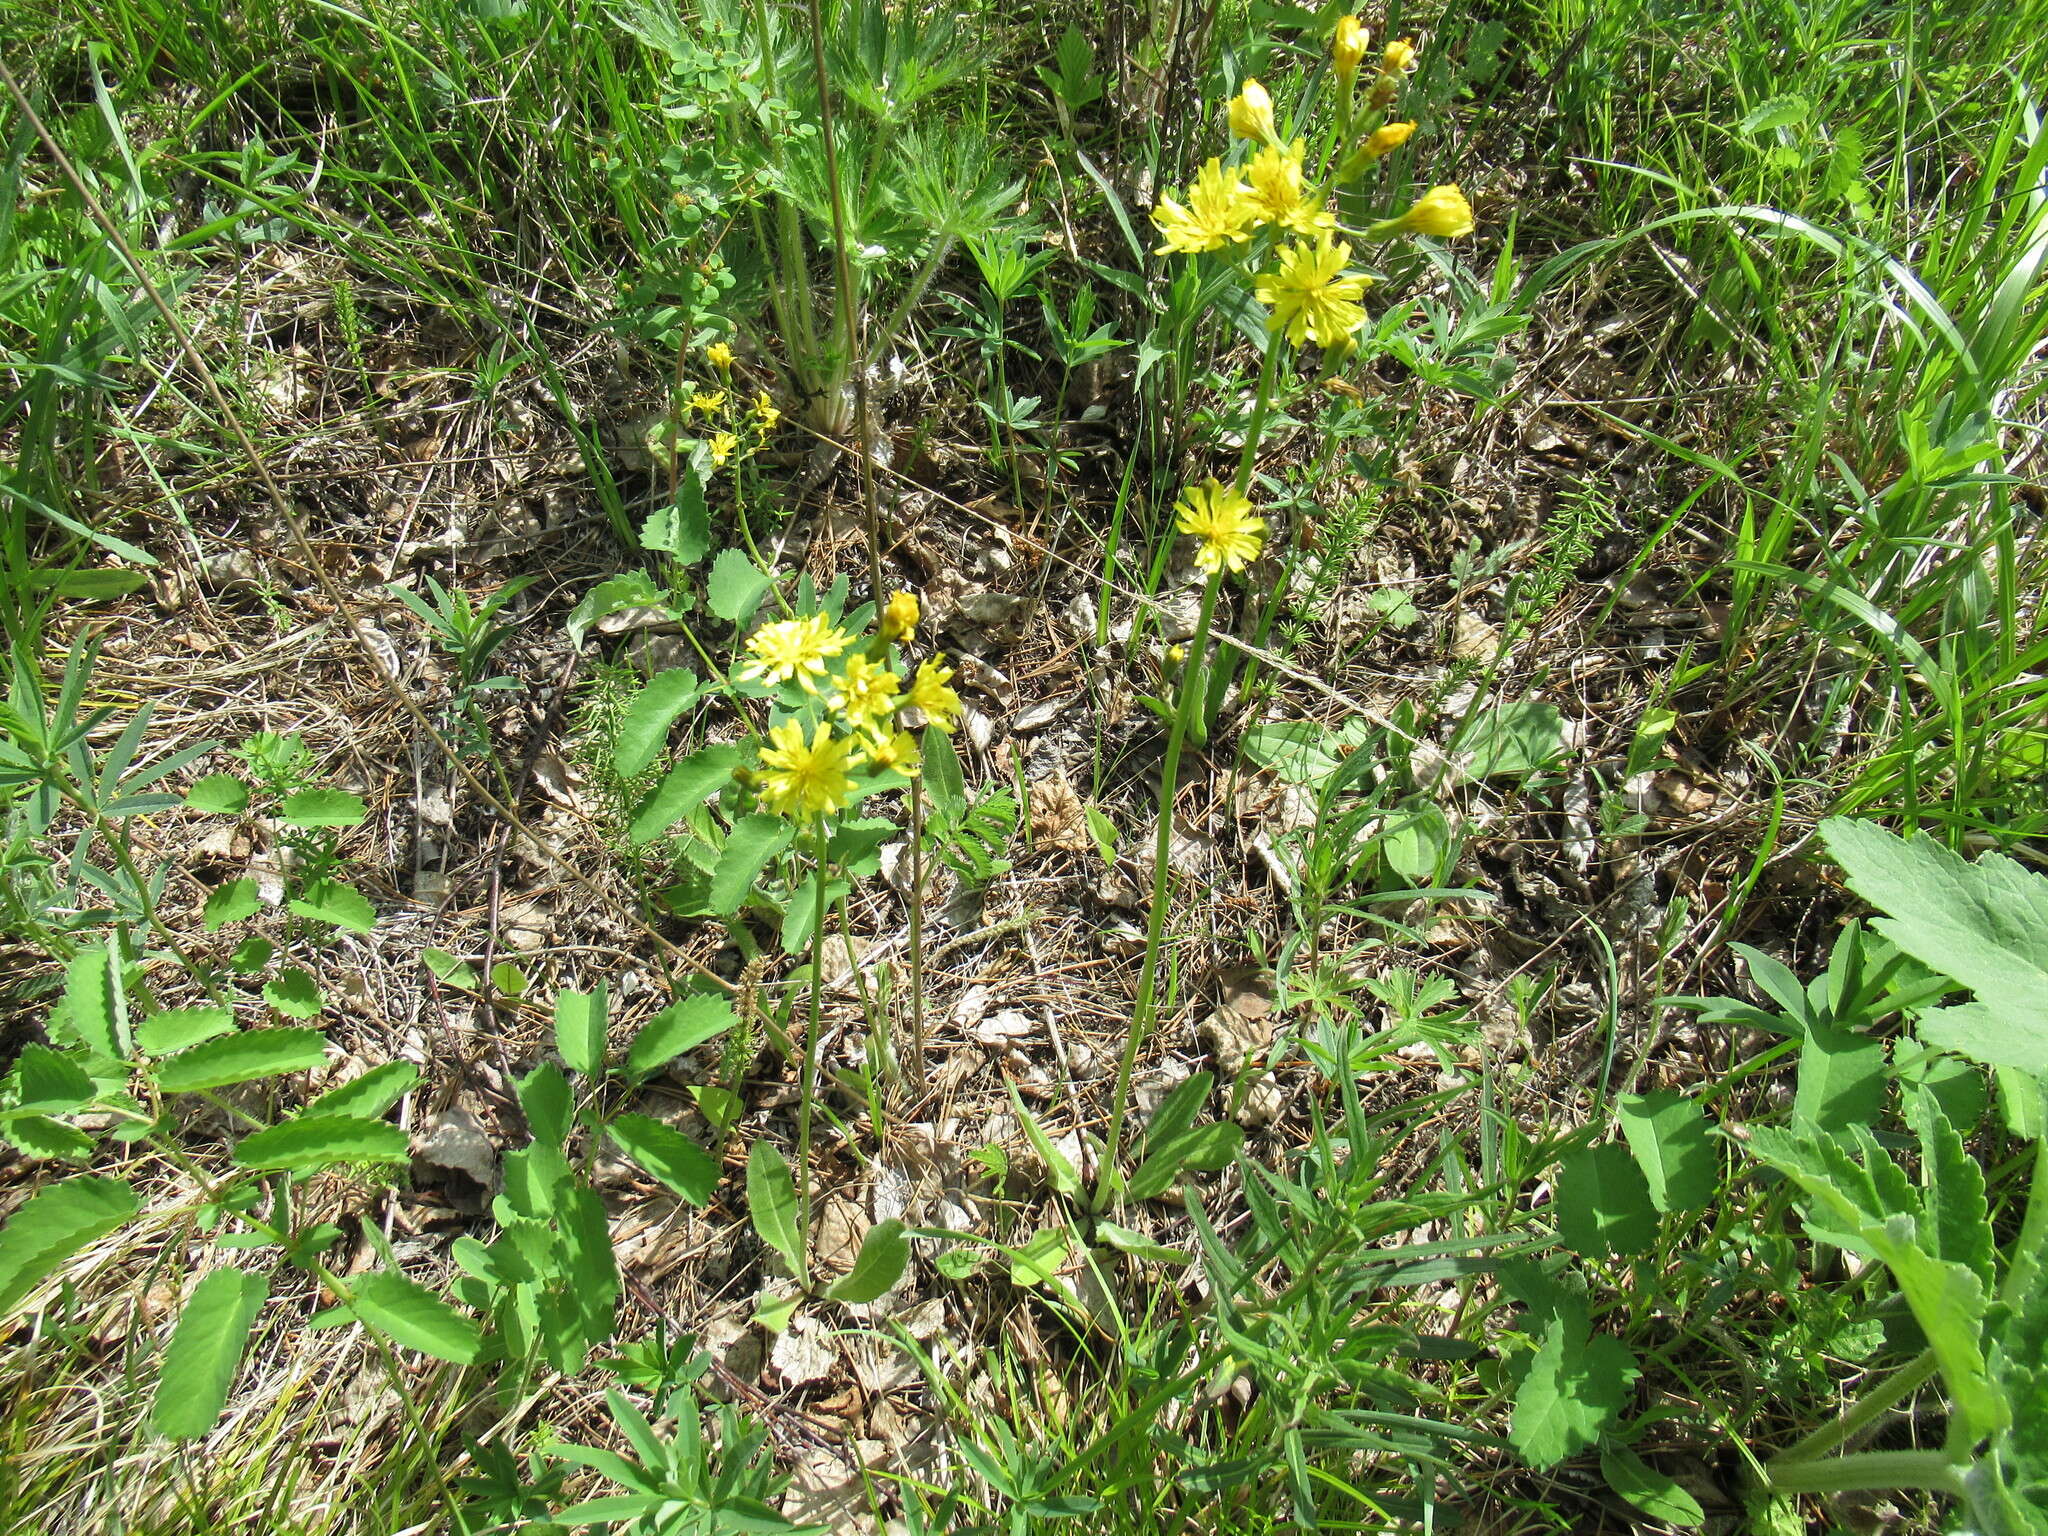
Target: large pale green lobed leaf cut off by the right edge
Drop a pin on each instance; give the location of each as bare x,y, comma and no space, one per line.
1986,925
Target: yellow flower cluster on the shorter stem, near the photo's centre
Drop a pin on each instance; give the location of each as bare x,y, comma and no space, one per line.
859,697
